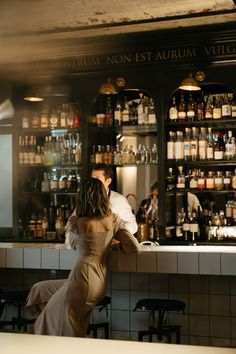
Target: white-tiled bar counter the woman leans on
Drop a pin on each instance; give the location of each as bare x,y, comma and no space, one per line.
195,259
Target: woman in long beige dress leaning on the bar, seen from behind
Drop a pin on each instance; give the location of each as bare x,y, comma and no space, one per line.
68,311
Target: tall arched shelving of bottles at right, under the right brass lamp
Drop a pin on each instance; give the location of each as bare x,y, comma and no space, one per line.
201,160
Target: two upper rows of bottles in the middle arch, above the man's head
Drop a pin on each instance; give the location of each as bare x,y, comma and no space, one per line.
130,112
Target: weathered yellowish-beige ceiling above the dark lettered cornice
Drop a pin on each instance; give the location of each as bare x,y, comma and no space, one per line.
39,29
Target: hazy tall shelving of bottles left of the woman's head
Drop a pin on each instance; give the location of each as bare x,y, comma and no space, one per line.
50,153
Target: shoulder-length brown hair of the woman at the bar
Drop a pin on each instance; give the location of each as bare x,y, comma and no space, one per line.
93,199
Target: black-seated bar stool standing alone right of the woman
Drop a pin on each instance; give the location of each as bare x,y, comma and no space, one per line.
162,306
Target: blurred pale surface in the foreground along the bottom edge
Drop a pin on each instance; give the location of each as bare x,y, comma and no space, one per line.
26,343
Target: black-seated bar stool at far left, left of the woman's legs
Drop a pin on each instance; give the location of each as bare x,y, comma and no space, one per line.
15,298
